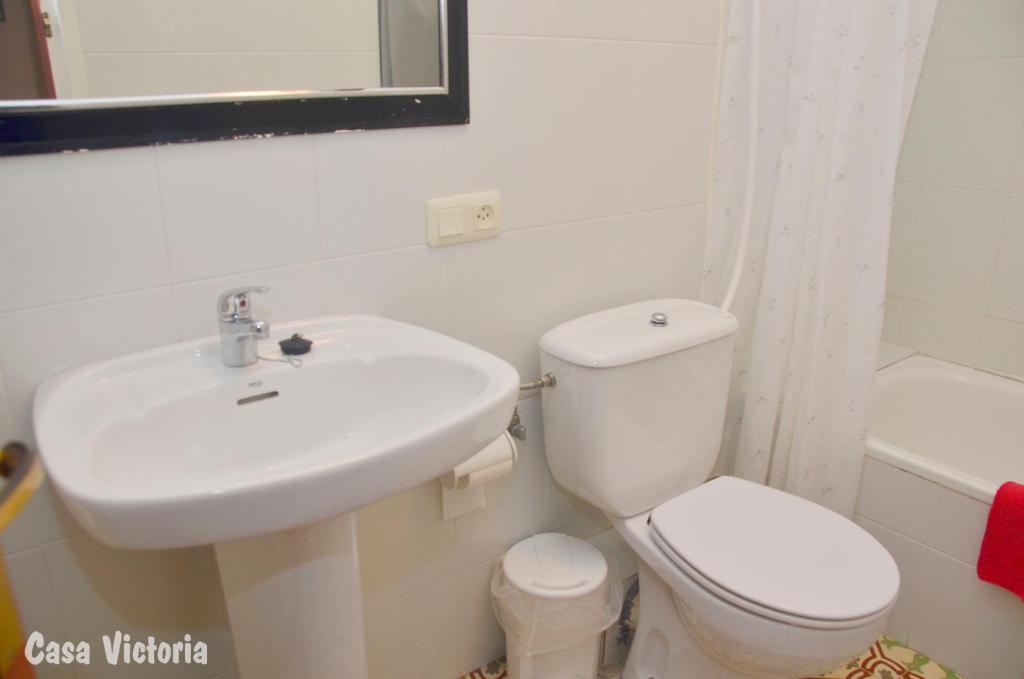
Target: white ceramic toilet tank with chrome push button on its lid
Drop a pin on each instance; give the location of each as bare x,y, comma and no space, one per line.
637,412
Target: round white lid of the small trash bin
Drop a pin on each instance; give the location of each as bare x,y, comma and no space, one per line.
556,566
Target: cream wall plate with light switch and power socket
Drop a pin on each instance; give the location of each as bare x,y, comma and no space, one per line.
463,219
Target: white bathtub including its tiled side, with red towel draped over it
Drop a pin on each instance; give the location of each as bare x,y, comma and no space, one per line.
942,440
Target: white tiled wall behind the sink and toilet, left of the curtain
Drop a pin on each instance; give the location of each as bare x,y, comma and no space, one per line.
594,120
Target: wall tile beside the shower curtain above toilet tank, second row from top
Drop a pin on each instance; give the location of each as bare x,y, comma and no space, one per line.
660,159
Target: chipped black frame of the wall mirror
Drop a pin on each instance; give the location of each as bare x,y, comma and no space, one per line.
55,131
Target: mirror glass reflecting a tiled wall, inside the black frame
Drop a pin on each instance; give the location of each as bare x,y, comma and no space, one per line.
81,50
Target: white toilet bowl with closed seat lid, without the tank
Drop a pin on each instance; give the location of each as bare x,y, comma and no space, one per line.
724,623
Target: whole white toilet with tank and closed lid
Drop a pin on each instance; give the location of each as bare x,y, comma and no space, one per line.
737,579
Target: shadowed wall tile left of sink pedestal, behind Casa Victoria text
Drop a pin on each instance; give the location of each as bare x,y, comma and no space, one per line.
167,593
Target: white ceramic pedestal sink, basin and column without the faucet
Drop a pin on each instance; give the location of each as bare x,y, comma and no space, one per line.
168,448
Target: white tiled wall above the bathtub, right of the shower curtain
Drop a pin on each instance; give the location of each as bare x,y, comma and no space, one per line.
957,261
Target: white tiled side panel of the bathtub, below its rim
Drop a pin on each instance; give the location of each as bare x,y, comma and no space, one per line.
944,610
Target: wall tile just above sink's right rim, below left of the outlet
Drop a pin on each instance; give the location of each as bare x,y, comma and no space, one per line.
409,285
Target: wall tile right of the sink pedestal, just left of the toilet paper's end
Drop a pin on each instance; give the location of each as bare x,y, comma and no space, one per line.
405,545
